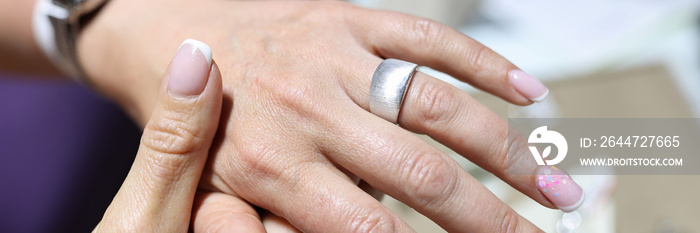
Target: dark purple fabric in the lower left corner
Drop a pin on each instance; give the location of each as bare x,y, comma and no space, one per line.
64,151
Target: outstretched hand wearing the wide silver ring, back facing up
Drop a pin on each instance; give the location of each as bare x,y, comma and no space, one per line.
297,135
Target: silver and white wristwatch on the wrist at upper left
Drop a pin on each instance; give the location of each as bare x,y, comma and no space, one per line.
57,24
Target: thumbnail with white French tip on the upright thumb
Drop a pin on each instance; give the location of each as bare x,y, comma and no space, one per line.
189,70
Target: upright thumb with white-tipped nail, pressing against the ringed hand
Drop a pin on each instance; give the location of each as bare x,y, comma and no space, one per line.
158,192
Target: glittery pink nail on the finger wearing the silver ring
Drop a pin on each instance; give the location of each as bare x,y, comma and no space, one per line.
559,188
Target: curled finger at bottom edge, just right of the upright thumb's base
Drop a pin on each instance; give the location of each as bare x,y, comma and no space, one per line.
219,212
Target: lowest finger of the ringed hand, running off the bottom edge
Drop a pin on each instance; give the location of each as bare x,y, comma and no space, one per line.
311,194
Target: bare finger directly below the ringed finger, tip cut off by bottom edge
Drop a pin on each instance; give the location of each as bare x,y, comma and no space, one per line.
407,168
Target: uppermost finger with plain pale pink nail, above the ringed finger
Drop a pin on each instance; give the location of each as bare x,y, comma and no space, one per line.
429,43
